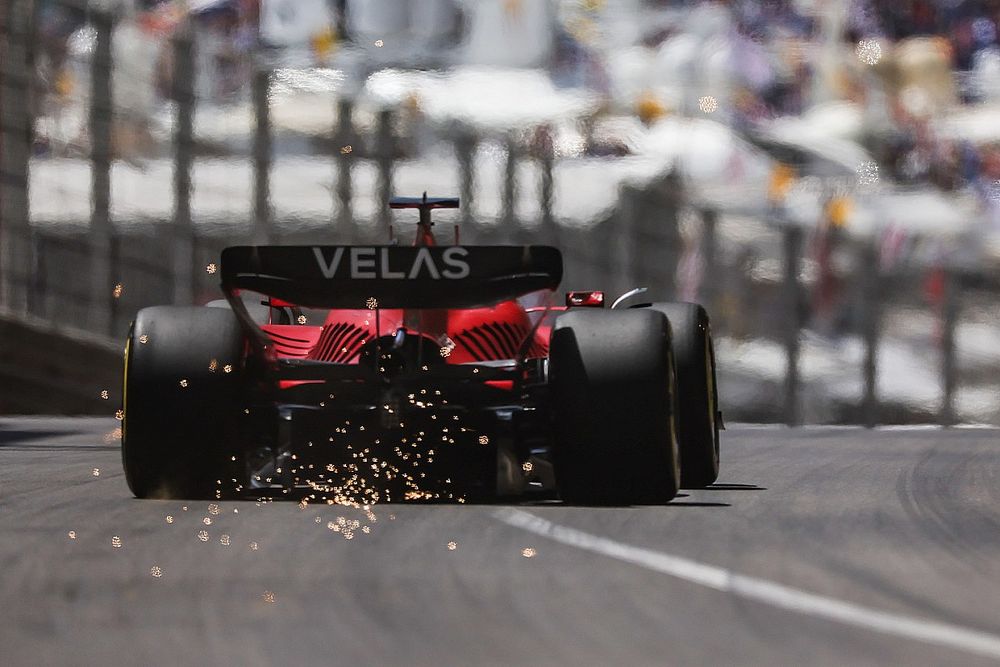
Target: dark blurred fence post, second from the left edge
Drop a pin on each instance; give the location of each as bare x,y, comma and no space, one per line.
101,126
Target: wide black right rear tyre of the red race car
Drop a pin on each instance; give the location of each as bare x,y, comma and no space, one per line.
612,382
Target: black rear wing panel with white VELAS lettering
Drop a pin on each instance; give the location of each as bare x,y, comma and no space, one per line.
396,276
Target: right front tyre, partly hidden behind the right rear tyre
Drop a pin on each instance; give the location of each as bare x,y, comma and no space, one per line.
697,395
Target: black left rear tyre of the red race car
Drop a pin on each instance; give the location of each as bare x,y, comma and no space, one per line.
180,400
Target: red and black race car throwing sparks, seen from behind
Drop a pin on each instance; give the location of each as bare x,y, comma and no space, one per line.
368,374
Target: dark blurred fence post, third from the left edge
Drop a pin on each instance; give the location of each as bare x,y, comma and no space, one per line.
183,232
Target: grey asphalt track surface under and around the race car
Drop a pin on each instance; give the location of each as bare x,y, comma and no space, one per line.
819,546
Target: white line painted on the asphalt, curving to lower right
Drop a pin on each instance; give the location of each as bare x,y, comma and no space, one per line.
761,590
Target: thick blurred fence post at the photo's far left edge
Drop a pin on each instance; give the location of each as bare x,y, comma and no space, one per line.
16,129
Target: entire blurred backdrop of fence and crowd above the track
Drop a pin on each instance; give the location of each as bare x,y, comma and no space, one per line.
824,176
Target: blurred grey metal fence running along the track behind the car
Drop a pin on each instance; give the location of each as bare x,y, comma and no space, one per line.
794,310
